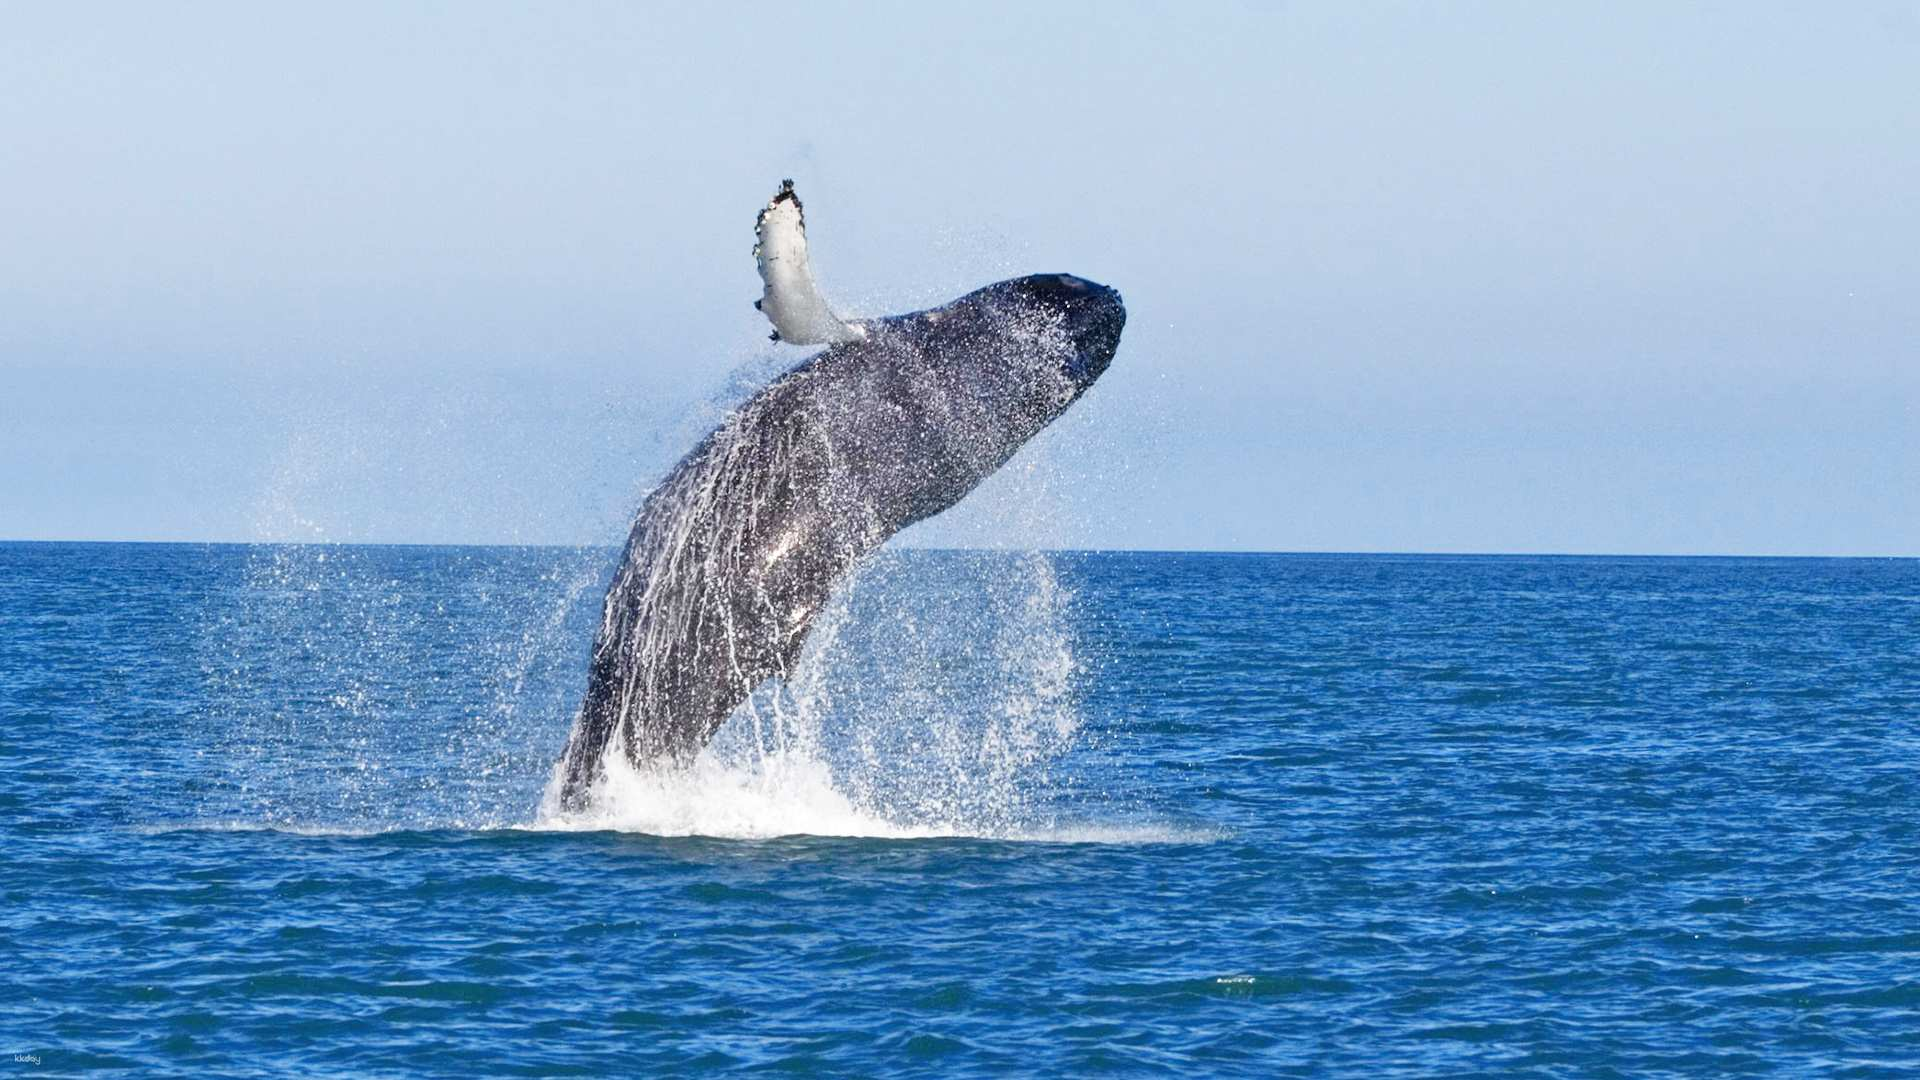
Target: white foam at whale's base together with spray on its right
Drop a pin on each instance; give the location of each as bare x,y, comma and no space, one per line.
936,699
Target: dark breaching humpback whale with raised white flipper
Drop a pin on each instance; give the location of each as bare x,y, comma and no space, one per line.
734,554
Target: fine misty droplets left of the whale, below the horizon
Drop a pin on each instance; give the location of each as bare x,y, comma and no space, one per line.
368,687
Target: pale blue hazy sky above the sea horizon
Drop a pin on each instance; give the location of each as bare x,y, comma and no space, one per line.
1401,278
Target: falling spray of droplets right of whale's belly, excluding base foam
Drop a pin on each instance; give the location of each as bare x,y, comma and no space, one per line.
946,691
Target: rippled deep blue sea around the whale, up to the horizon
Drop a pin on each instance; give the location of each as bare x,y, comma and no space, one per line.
279,812
